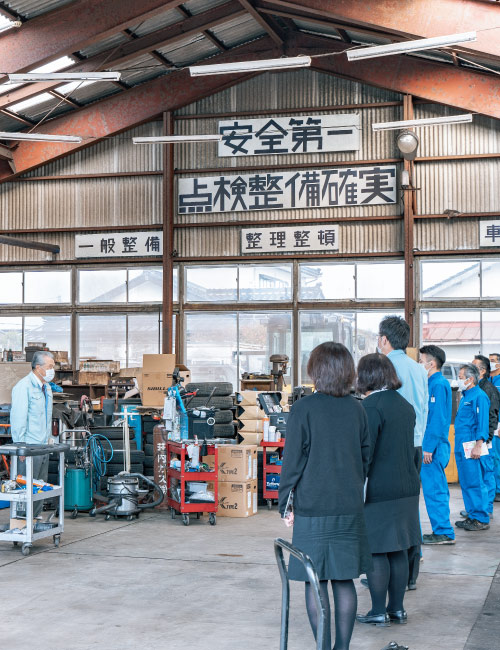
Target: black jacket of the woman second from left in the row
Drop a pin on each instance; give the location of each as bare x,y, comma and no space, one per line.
393,472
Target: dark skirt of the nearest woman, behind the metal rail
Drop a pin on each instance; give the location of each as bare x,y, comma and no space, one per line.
337,545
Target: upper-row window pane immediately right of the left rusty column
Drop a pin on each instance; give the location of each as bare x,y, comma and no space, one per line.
211,283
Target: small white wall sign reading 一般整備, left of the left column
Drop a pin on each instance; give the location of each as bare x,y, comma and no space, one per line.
120,244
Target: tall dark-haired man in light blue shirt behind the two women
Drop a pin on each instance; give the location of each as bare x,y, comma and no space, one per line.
393,339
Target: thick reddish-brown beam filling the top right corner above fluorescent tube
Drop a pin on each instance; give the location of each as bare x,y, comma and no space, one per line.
415,19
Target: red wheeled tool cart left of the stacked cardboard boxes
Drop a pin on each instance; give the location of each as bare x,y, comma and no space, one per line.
178,450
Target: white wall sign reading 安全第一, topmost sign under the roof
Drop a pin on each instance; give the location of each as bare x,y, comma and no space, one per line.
282,135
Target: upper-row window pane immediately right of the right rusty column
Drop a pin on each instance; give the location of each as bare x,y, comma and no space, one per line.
449,280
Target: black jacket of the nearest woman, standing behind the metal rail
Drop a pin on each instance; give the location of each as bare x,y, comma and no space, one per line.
326,456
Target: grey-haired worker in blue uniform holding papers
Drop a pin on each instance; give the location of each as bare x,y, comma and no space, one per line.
471,424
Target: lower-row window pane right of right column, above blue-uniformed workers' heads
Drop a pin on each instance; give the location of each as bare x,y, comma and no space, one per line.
457,332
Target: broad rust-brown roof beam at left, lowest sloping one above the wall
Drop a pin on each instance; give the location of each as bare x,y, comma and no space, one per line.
123,111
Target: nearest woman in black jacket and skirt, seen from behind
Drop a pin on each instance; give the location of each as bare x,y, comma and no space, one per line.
325,463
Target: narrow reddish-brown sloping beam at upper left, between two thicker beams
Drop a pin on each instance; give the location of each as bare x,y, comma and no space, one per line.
137,46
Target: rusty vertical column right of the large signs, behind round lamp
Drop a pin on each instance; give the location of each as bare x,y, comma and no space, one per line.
408,197
